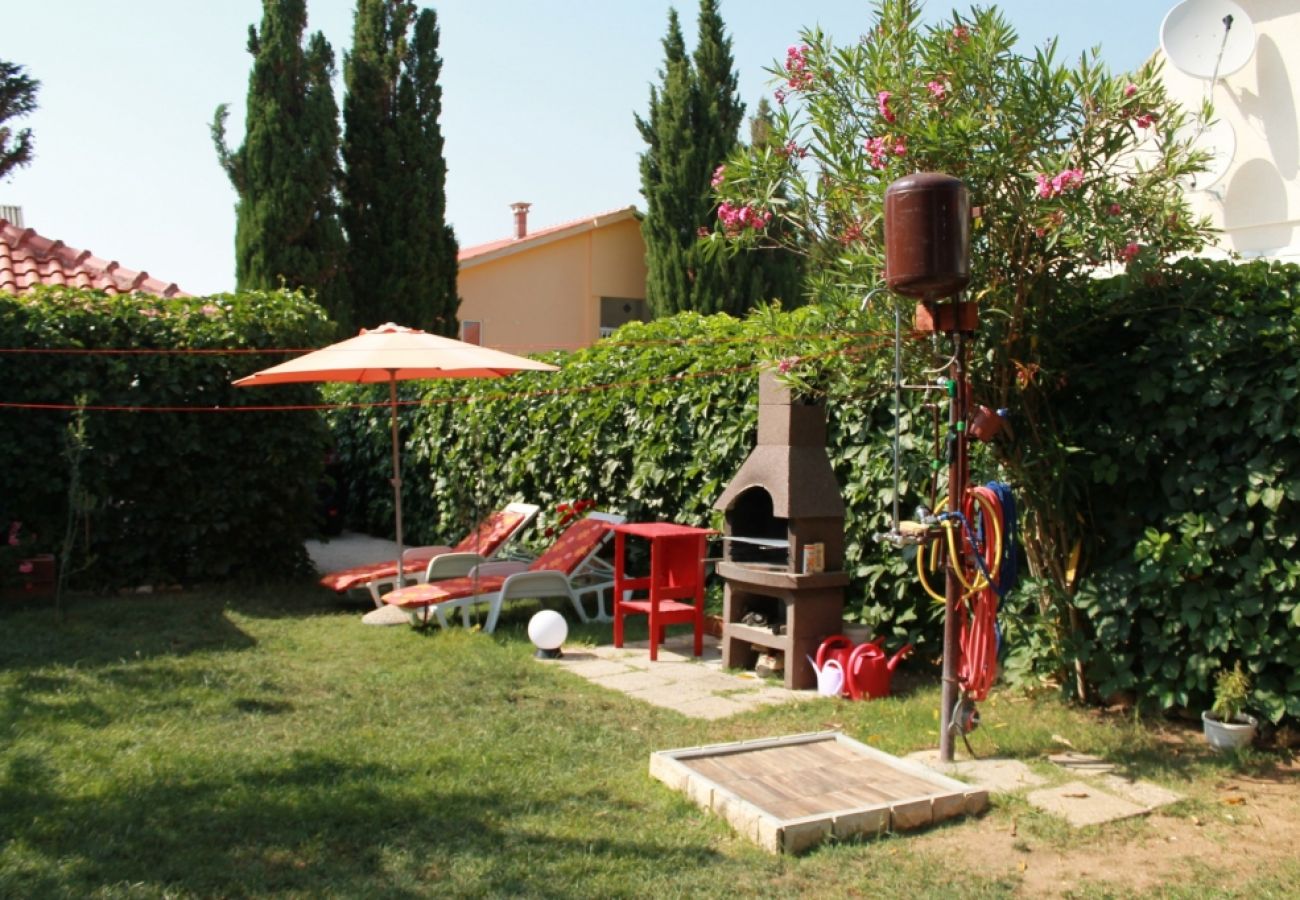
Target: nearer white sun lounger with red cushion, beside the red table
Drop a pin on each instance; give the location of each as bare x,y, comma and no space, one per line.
569,569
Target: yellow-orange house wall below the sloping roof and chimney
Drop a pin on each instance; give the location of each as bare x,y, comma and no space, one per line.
548,297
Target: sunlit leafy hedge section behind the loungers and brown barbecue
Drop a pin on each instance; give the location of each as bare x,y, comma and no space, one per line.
653,425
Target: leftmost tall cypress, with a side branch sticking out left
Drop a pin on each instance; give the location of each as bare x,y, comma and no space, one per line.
285,174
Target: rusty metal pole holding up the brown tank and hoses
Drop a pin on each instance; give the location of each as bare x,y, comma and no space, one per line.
957,478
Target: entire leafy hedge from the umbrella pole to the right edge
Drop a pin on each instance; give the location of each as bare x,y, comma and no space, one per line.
1182,395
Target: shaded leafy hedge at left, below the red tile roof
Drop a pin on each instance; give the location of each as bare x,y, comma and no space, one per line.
164,497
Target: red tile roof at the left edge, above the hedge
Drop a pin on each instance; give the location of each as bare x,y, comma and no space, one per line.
28,261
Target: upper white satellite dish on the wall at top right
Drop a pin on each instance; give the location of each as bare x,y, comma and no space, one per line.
1208,38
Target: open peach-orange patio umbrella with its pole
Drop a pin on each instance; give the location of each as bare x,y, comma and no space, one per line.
391,354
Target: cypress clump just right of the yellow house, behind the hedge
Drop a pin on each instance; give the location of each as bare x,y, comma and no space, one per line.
694,127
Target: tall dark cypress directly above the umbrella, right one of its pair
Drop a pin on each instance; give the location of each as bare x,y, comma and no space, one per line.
402,254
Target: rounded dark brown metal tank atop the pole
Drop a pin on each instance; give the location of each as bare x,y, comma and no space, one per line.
928,236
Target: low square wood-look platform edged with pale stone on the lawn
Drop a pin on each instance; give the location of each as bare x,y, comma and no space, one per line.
790,794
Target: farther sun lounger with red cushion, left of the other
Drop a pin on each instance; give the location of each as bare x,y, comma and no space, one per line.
421,564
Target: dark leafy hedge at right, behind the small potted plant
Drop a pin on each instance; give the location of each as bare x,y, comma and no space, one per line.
1185,399
